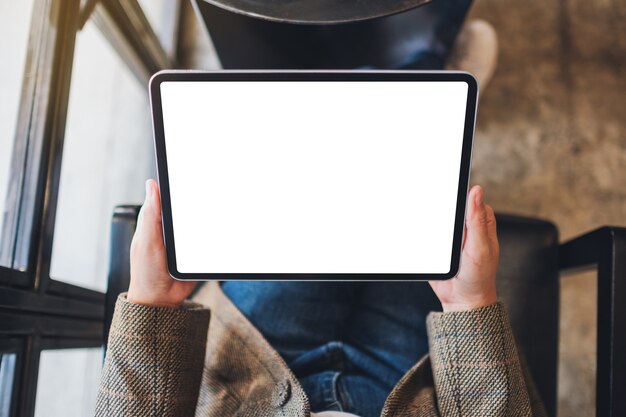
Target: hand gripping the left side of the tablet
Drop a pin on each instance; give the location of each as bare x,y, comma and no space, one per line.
150,283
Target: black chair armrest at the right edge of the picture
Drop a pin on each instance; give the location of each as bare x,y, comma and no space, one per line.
605,248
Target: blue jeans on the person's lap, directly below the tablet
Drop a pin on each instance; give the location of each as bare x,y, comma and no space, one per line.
348,343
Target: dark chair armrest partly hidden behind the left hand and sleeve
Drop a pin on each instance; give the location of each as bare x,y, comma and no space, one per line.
123,226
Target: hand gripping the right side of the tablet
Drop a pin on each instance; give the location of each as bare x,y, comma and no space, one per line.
475,284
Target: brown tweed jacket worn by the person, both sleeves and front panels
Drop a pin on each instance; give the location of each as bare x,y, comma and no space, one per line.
177,362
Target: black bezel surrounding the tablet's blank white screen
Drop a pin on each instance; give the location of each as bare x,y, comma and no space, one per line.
313,76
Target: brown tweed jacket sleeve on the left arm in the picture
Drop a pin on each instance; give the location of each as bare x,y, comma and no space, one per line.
154,361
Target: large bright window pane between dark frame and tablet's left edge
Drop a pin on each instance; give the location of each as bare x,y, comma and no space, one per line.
107,156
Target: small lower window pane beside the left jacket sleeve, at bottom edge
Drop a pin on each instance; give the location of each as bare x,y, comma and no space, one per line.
68,381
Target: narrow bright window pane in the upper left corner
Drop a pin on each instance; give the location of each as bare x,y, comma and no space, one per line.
14,30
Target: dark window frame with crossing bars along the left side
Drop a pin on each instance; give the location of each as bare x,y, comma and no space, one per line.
37,312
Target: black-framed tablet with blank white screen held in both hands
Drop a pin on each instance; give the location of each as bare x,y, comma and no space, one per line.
313,175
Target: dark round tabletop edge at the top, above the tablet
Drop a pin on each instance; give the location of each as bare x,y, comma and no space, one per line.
317,11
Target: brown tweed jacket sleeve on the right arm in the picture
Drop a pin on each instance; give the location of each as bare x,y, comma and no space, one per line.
475,365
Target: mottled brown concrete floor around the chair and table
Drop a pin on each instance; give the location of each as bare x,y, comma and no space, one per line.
551,141
